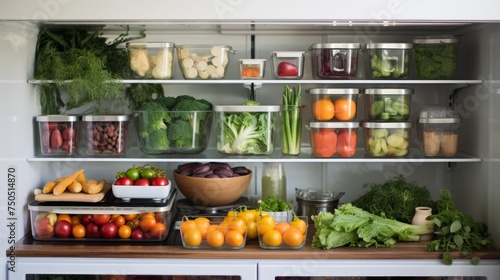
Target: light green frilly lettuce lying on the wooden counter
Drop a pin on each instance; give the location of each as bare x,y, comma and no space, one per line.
353,226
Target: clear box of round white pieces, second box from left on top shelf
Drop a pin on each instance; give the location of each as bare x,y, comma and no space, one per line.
203,61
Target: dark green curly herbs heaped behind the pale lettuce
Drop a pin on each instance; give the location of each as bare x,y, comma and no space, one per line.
395,199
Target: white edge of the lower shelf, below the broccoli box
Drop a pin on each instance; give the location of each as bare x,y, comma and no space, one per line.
135,155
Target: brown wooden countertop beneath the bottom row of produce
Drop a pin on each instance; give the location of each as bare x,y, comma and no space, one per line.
27,247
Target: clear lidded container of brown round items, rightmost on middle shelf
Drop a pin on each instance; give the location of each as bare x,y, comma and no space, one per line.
438,129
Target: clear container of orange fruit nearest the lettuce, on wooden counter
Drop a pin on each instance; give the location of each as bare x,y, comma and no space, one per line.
282,233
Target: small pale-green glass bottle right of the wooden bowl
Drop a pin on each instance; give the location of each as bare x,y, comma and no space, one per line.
273,180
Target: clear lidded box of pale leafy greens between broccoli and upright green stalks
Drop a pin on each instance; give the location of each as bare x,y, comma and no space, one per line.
266,118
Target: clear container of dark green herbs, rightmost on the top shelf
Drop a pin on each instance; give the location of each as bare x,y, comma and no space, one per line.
436,58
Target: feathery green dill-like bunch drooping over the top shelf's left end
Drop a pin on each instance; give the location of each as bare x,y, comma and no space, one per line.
80,62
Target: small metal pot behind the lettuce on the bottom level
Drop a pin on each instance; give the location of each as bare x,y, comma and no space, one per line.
312,202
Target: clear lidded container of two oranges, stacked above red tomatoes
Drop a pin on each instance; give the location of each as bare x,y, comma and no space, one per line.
334,104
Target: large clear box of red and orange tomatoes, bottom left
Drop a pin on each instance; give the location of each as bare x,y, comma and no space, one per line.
44,216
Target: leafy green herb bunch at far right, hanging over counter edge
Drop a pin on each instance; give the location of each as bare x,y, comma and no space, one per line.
456,230
